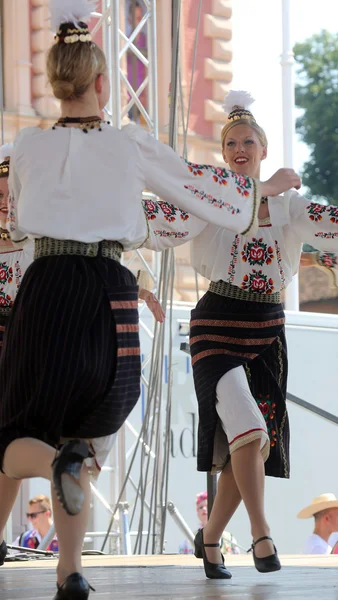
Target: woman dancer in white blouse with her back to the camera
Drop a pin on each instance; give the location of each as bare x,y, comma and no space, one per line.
75,320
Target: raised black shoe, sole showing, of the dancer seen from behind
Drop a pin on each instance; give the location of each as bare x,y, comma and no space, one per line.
69,462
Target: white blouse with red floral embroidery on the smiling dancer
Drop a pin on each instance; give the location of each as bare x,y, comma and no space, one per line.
261,262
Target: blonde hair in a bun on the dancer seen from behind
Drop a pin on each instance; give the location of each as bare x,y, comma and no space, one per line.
71,68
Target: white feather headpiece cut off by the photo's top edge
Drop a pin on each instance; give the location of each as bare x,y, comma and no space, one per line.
70,11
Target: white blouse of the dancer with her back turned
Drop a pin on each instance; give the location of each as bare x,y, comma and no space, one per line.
66,184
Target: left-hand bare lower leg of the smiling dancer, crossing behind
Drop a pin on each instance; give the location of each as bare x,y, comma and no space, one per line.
226,502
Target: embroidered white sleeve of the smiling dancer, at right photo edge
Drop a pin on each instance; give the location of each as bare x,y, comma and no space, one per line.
316,224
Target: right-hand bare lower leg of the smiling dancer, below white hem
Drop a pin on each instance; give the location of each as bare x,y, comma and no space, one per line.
248,469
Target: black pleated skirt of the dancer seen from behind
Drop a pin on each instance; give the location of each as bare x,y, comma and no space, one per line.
70,363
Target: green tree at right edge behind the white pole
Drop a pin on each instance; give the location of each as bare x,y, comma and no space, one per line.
317,94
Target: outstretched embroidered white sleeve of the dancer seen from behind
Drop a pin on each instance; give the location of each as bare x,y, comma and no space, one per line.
214,195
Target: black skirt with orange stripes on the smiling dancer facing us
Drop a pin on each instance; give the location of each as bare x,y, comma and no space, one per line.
227,333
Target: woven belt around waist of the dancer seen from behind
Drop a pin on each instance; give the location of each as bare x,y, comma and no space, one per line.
51,247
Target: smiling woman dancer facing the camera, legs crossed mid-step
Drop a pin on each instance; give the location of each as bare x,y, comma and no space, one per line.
237,341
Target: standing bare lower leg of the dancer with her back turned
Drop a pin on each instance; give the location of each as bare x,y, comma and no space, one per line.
71,532
